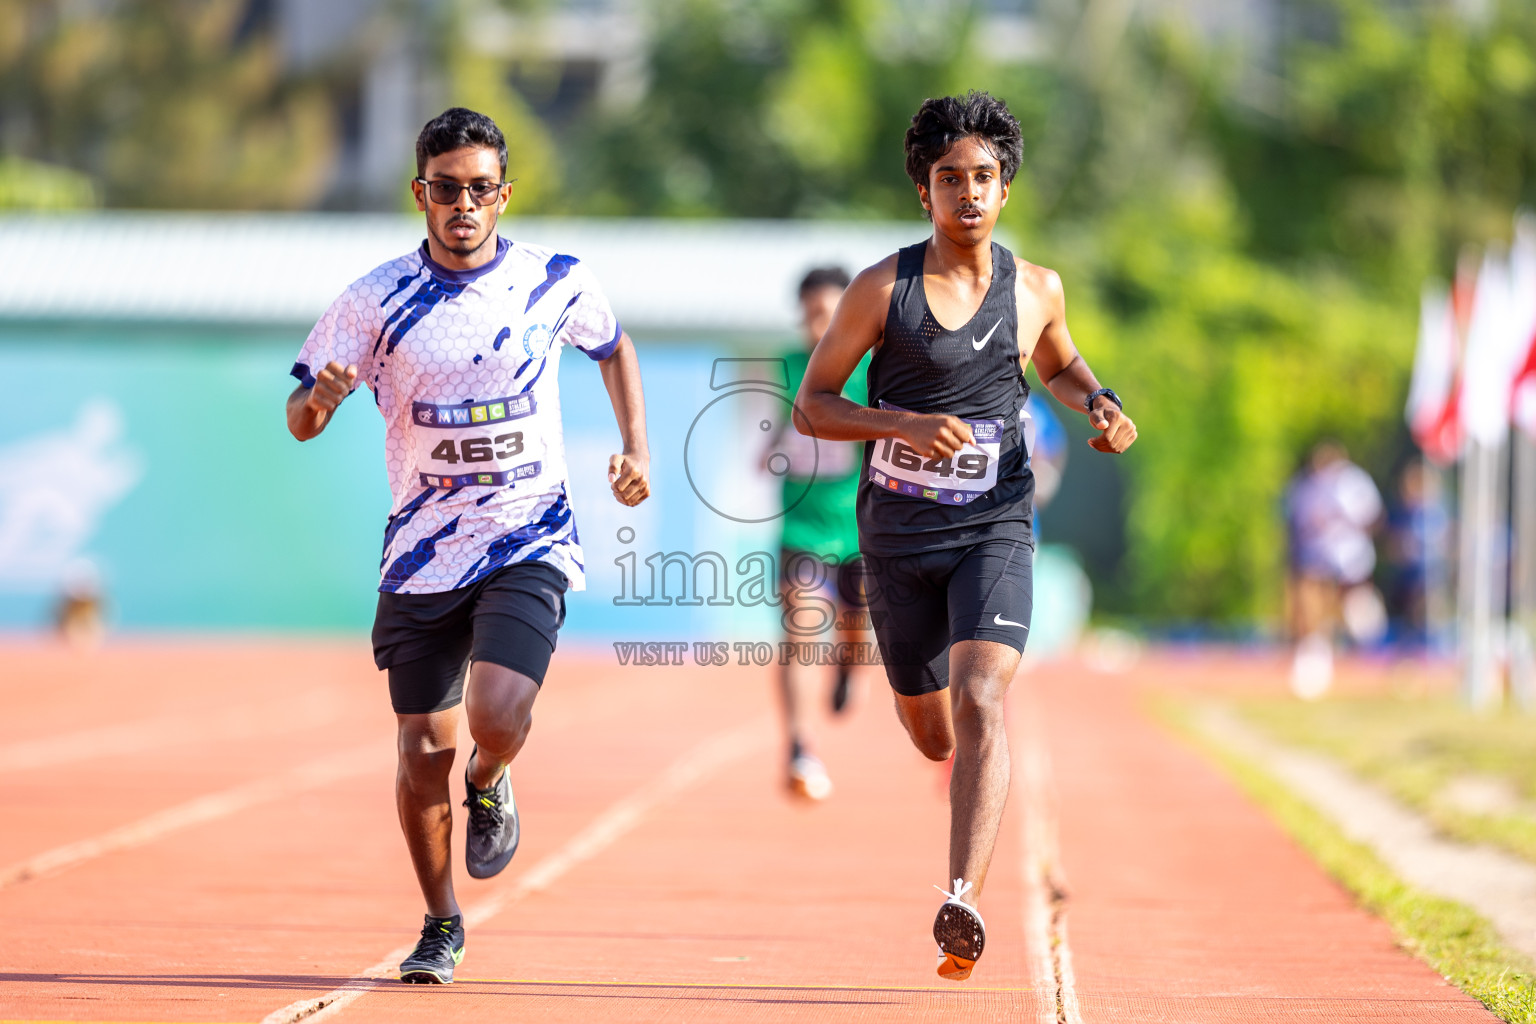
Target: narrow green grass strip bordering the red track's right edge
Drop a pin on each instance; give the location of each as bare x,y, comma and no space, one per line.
1460,945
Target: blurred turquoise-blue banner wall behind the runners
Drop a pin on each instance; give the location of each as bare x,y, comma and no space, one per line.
159,461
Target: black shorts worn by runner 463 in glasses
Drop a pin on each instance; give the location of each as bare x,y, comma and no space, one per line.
428,641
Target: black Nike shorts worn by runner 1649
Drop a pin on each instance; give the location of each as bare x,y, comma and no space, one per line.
921,604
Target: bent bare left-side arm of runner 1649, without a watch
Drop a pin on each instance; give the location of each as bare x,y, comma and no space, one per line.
821,409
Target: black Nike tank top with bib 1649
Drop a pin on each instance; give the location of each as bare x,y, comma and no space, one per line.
973,374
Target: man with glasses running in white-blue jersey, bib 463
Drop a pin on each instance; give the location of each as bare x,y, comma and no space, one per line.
460,343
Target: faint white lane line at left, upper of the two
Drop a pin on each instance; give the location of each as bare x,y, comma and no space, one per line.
308,712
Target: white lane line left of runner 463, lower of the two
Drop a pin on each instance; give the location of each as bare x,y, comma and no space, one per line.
197,811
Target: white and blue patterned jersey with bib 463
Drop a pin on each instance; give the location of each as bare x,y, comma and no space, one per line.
465,369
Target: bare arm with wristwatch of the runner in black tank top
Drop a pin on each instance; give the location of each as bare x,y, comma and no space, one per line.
1062,369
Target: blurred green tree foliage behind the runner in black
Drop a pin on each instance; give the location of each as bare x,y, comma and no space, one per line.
1242,234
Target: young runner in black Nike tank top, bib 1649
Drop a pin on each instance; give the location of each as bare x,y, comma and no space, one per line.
944,510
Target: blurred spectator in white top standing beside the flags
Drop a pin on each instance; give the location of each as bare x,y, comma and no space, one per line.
1332,507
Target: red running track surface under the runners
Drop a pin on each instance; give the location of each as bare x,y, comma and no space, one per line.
205,833
